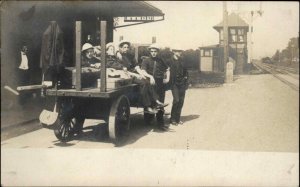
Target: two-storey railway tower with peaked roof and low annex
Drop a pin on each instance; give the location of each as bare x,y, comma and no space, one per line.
211,57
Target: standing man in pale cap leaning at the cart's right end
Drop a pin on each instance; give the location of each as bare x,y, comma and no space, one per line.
154,69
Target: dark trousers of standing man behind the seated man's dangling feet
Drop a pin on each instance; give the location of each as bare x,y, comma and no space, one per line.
161,92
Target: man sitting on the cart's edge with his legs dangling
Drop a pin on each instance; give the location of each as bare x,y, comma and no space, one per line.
149,98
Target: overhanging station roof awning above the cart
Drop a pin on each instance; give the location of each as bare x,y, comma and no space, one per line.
80,9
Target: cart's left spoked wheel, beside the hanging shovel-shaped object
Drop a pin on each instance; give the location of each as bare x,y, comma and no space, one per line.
67,125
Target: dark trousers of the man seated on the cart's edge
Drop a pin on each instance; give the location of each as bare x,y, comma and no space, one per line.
147,92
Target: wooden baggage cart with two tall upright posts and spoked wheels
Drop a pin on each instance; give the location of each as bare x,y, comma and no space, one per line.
77,104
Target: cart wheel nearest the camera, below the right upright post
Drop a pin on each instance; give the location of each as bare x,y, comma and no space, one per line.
118,124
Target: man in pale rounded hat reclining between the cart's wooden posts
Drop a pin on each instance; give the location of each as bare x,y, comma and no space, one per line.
88,56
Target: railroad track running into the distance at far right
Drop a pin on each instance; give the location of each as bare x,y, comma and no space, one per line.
289,76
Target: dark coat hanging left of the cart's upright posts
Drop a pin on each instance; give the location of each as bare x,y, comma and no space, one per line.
52,52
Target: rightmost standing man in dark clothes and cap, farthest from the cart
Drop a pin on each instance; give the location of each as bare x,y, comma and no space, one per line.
178,85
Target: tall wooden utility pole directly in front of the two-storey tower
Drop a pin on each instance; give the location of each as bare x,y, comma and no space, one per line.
225,35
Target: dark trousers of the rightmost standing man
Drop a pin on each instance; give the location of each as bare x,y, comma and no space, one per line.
178,92
